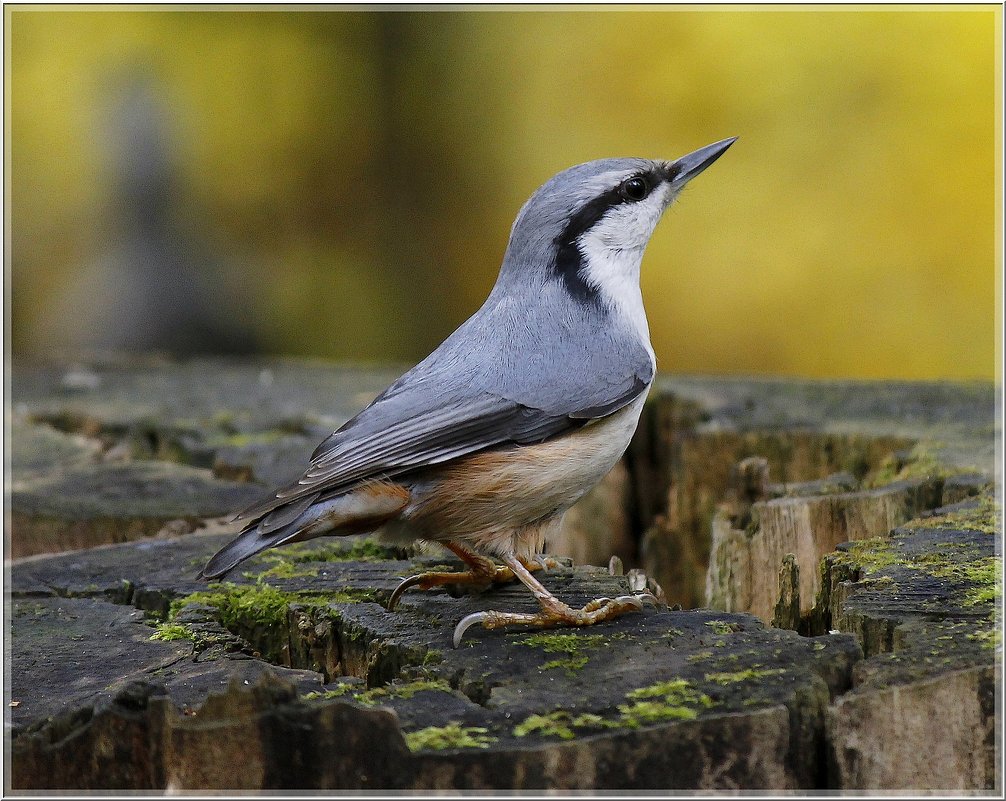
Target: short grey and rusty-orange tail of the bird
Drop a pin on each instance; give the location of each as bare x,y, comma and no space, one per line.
357,513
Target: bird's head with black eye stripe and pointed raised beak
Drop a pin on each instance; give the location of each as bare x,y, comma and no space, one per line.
589,226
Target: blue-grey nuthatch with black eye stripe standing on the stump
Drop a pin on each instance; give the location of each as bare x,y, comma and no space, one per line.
485,444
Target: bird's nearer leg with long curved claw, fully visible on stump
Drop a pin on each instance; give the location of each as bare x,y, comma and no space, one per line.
554,612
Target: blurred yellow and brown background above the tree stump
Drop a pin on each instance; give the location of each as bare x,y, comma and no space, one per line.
342,184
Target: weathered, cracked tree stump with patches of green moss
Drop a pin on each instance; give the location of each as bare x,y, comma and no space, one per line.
129,674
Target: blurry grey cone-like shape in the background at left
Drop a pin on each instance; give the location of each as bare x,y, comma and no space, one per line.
152,284
